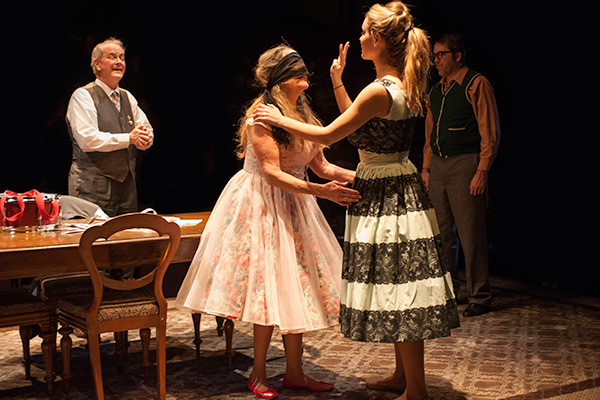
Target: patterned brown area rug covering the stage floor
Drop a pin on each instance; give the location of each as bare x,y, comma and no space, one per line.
533,345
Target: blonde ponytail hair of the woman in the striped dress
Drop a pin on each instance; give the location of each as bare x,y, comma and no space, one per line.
408,48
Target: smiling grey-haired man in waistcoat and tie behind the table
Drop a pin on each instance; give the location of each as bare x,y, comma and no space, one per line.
107,128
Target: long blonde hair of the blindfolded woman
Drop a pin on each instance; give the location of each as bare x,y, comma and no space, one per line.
300,111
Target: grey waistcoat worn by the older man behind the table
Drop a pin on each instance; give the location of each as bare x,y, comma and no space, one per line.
113,164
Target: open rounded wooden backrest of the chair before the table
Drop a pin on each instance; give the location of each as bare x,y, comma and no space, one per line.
123,222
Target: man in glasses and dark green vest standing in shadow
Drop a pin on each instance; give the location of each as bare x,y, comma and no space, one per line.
462,134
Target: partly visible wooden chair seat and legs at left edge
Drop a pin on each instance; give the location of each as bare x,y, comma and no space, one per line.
20,308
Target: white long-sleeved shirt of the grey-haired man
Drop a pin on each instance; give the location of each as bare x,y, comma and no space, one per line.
83,118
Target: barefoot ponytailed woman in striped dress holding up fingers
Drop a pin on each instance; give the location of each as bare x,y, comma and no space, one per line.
395,288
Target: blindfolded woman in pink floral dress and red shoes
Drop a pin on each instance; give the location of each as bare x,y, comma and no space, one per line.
267,255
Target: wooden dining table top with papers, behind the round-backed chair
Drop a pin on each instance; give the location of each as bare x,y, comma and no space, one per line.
55,251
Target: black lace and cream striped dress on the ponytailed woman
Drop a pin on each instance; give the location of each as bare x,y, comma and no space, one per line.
395,287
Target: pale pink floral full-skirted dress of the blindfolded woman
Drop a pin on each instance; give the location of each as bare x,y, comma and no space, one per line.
267,256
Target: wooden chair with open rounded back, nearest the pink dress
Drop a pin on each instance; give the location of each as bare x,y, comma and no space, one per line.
120,305
